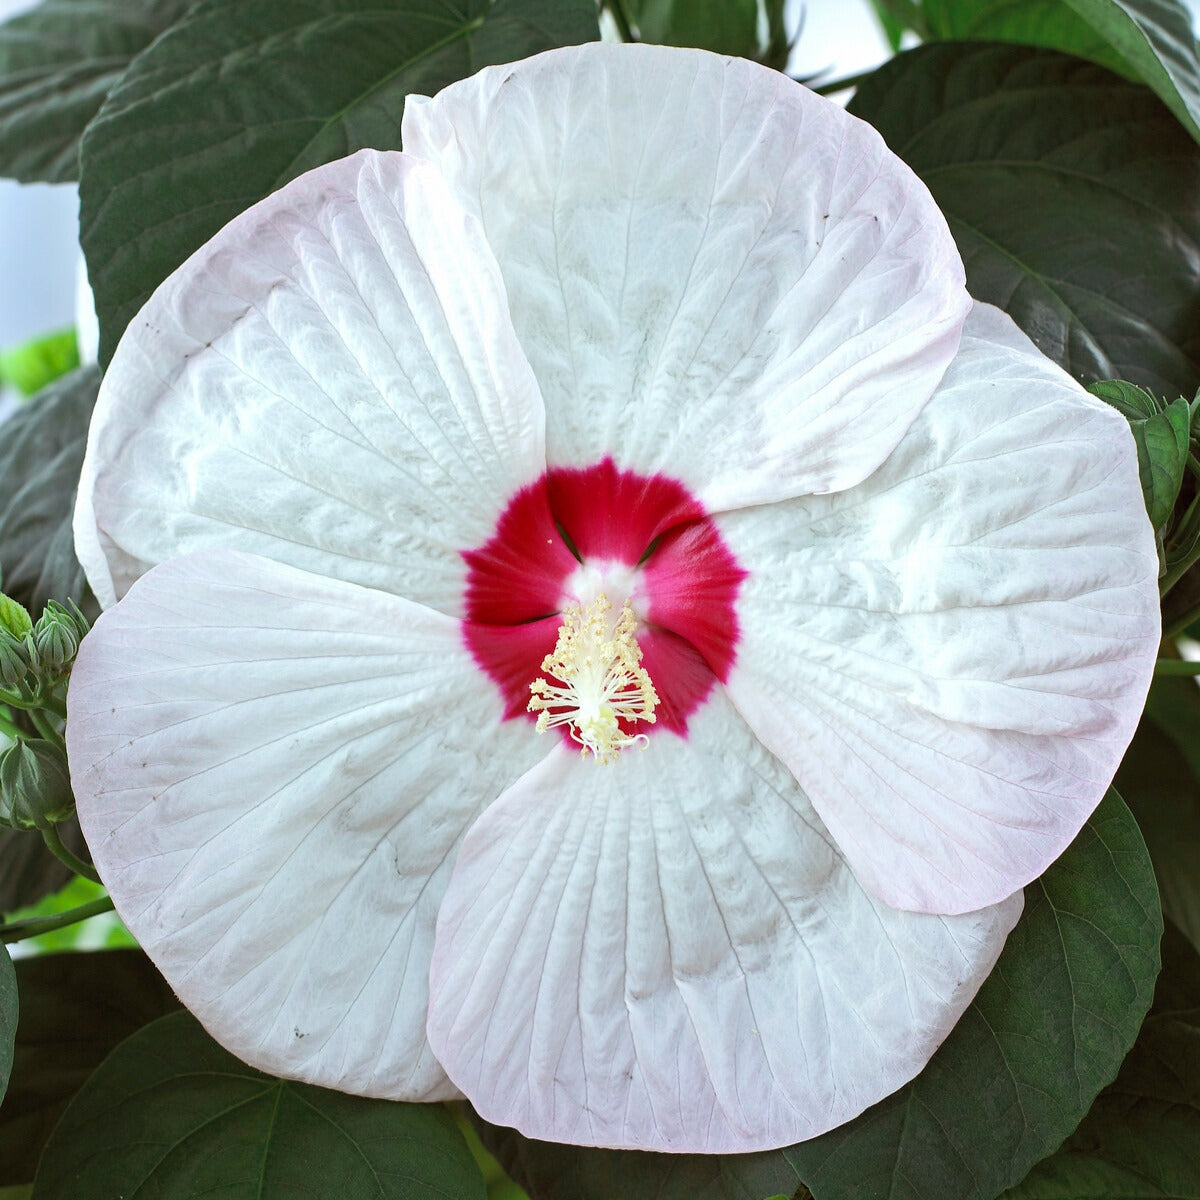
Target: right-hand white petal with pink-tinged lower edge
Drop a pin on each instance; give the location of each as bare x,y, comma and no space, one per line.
952,658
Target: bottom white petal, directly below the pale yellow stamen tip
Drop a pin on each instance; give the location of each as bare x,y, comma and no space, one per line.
670,955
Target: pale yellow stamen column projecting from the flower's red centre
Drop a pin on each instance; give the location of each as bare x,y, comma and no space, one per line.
595,681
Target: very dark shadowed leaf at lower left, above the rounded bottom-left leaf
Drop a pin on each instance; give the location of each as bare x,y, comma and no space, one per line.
77,1009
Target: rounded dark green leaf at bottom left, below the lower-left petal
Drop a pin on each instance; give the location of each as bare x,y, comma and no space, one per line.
171,1114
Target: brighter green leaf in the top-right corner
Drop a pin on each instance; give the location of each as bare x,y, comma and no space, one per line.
1148,40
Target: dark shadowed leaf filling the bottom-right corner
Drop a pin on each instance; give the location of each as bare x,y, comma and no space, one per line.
1142,1139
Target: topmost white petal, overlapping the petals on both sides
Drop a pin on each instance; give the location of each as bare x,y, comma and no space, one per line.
701,253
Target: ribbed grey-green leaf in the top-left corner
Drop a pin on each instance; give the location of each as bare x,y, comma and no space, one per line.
57,65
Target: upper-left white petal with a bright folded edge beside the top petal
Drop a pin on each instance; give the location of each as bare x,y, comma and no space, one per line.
332,382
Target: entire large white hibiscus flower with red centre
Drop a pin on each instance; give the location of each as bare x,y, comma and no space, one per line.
598,622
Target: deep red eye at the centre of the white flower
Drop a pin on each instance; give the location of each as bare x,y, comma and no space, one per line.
580,532
